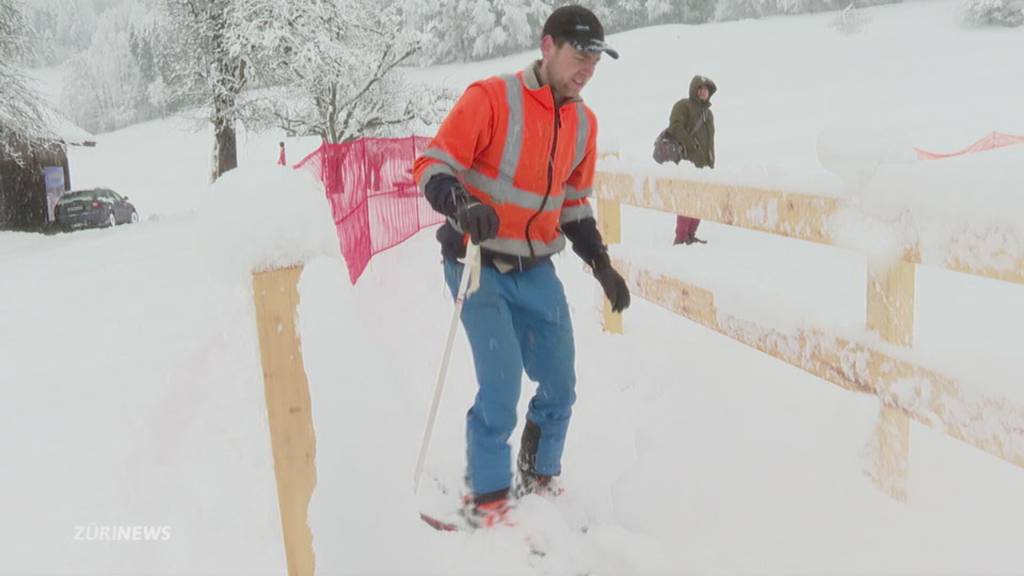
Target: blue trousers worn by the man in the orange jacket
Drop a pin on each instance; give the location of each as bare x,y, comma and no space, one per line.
517,321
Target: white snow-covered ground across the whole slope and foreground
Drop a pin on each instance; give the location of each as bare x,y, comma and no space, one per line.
133,392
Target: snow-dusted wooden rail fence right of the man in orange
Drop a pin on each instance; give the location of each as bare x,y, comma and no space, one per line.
906,391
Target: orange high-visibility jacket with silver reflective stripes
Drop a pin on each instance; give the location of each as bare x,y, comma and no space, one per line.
513,150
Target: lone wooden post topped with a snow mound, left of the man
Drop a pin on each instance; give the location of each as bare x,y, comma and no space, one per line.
292,437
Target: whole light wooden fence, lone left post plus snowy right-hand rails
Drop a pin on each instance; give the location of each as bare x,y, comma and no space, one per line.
934,400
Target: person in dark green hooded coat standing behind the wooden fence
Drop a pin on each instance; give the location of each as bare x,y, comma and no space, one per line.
693,128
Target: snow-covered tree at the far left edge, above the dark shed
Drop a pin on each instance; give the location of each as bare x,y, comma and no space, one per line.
22,116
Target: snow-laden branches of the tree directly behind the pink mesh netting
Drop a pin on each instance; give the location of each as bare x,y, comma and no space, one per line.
332,68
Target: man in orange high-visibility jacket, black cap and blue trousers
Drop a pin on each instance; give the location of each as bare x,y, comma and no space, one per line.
513,168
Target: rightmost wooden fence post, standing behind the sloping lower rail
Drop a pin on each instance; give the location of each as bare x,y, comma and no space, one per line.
890,313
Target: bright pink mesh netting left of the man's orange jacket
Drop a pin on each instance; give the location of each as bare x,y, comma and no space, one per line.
373,195
